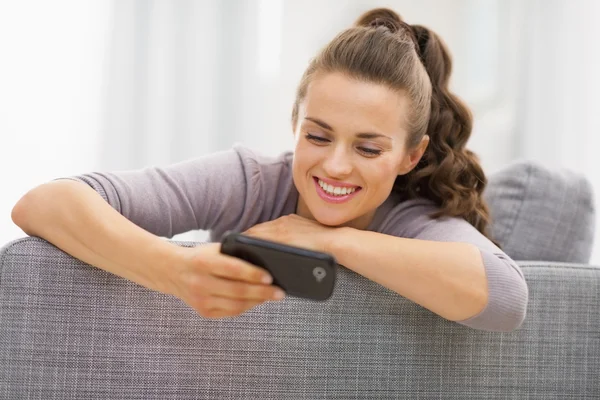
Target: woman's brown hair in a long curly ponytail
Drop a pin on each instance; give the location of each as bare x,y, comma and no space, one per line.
411,59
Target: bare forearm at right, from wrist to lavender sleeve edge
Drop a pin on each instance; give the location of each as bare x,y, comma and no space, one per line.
447,278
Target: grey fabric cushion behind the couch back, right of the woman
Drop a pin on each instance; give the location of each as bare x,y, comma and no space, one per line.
540,213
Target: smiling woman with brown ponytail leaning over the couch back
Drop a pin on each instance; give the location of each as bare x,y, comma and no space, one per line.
379,177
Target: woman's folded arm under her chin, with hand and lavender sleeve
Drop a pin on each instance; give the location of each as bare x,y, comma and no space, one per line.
443,264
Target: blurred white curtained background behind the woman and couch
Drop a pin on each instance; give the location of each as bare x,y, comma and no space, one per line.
111,85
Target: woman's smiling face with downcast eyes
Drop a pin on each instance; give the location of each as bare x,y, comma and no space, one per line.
350,137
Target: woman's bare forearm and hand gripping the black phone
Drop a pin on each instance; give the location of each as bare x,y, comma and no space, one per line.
76,219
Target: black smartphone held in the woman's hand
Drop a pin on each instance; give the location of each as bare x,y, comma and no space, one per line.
299,272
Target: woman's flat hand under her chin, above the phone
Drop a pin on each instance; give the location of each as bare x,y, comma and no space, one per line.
297,231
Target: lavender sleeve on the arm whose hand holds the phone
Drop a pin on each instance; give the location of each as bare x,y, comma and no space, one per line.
220,191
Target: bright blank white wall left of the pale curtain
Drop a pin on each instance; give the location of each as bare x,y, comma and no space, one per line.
51,66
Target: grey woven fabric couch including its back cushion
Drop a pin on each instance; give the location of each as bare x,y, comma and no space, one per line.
71,331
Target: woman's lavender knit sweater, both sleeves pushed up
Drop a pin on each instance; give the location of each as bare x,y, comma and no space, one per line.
236,189
